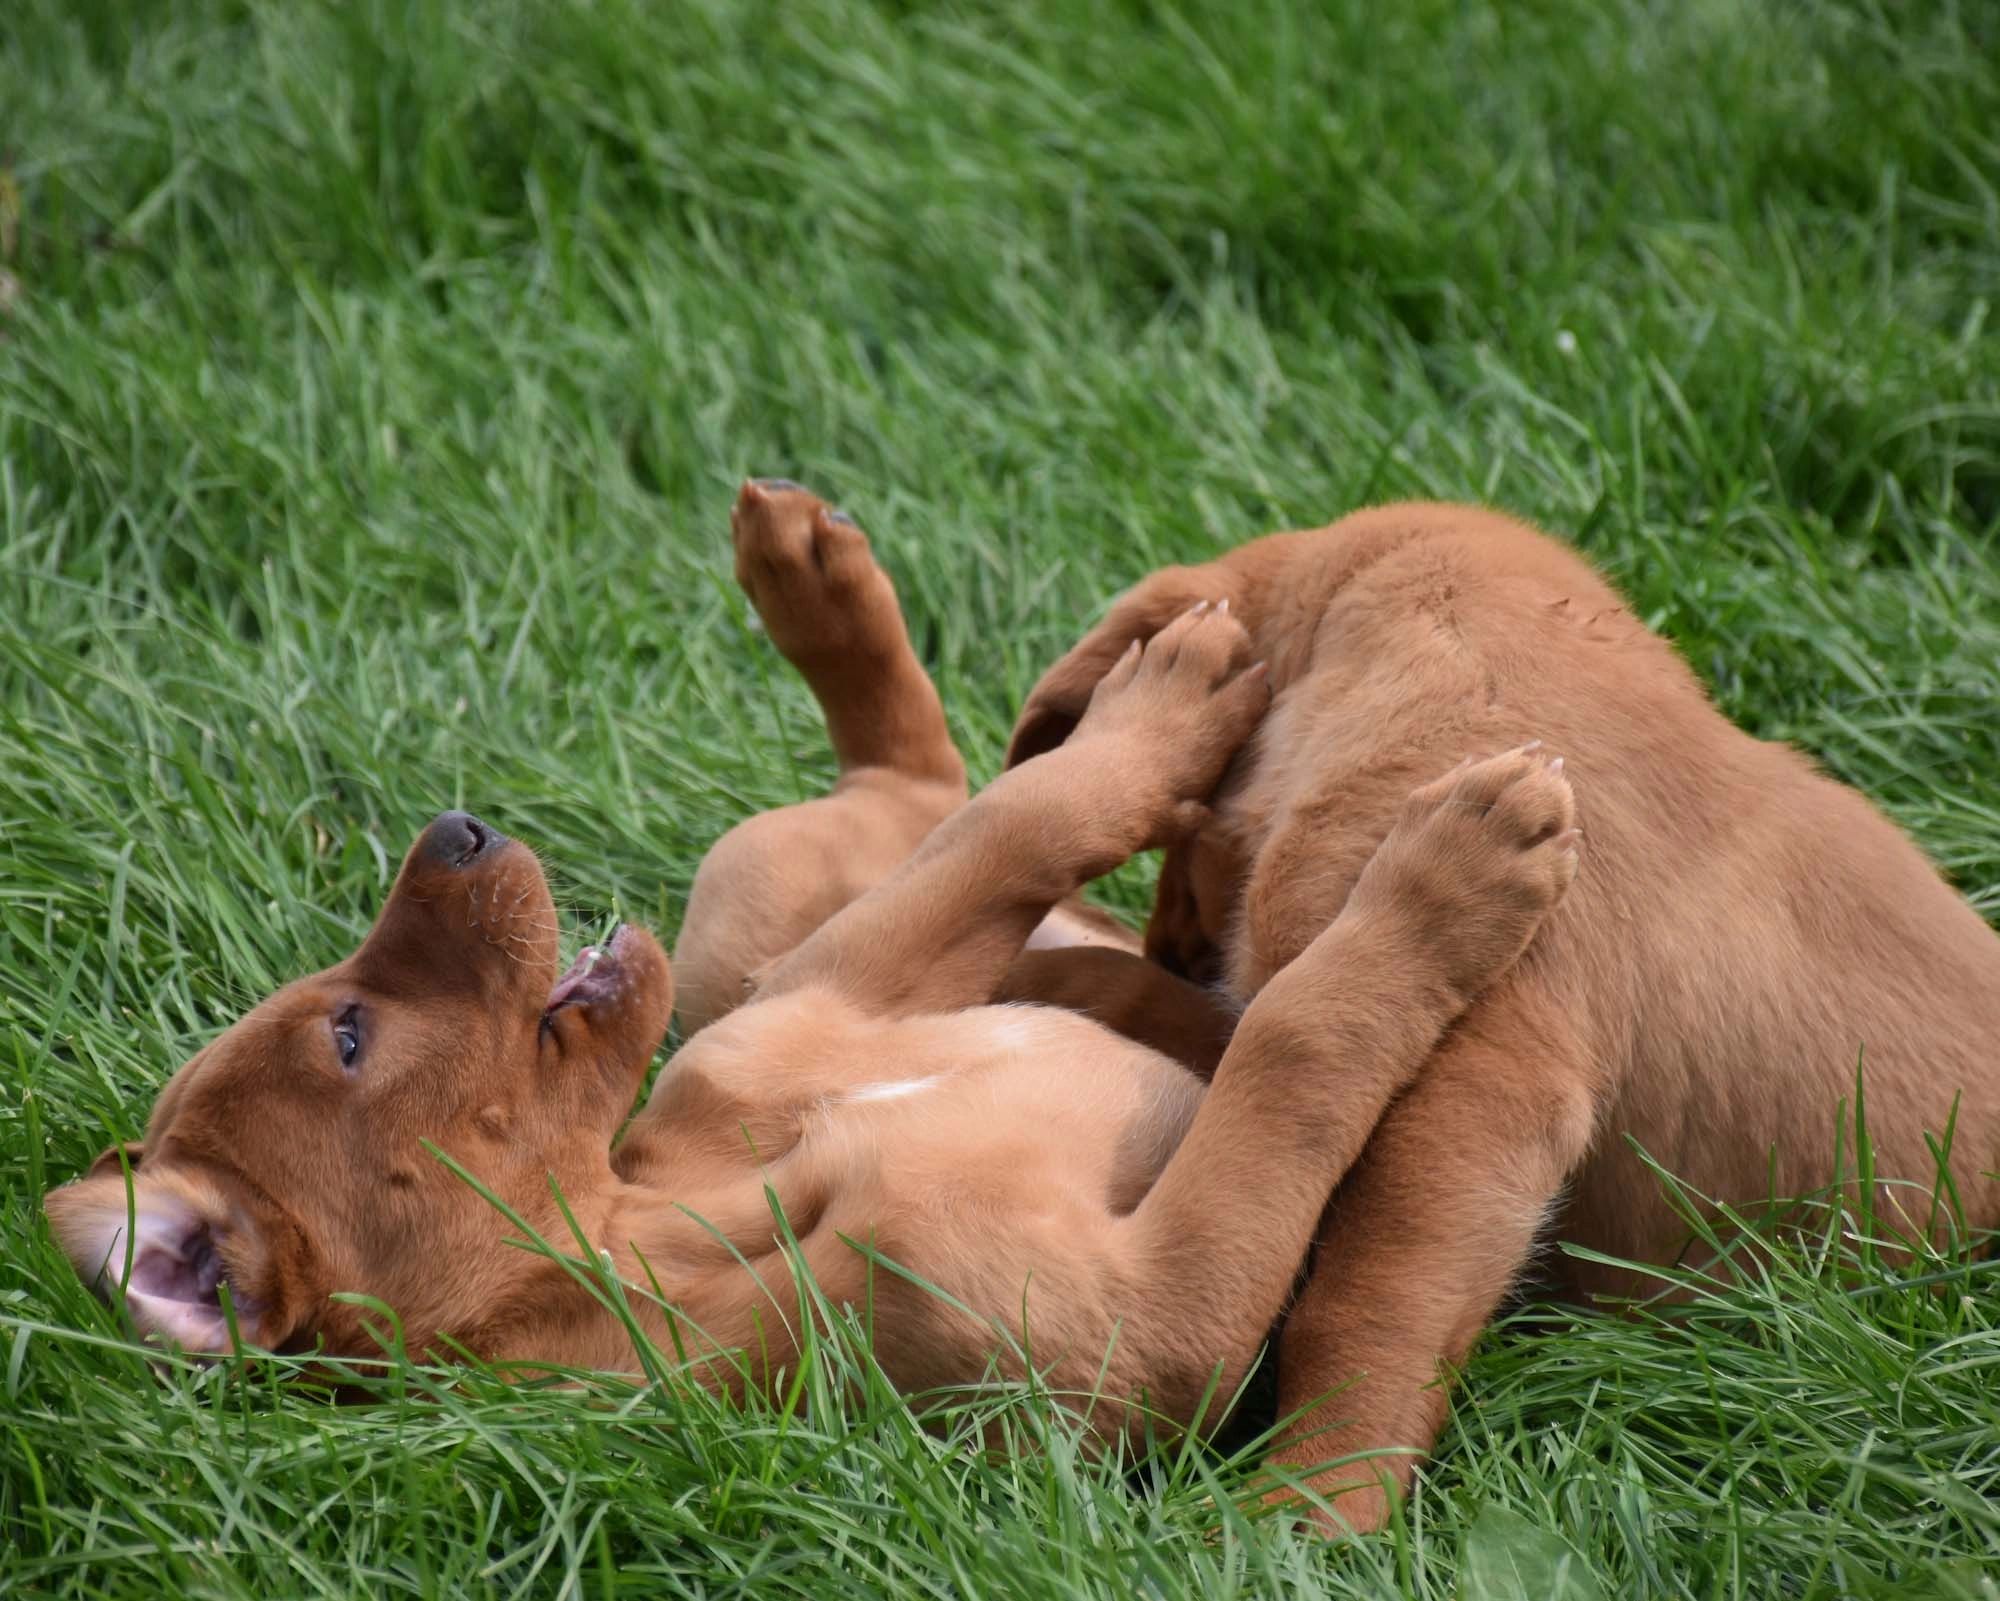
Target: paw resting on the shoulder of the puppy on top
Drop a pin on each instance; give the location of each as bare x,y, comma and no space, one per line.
1477,862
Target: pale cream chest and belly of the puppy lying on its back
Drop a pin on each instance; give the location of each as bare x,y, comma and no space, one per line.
981,1154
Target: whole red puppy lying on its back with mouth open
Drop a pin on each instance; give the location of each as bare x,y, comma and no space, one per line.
1025,1160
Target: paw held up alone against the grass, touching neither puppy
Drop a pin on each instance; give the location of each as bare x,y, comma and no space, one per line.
811,575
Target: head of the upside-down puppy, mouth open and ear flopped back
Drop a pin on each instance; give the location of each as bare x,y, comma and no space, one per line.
289,1158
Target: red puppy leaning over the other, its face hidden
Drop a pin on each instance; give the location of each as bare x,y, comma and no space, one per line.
1747,936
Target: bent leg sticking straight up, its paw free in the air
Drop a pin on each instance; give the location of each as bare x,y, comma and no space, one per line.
771,882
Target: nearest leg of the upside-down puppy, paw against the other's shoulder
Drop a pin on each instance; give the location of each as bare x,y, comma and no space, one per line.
1445,908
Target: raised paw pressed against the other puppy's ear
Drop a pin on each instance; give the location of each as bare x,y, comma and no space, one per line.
1175,711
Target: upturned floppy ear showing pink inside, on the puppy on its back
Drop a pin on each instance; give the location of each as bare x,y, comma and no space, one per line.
173,1246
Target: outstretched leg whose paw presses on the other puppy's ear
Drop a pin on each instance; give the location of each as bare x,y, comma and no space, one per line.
943,930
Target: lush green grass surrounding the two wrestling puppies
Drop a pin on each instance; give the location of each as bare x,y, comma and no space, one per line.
371,397
